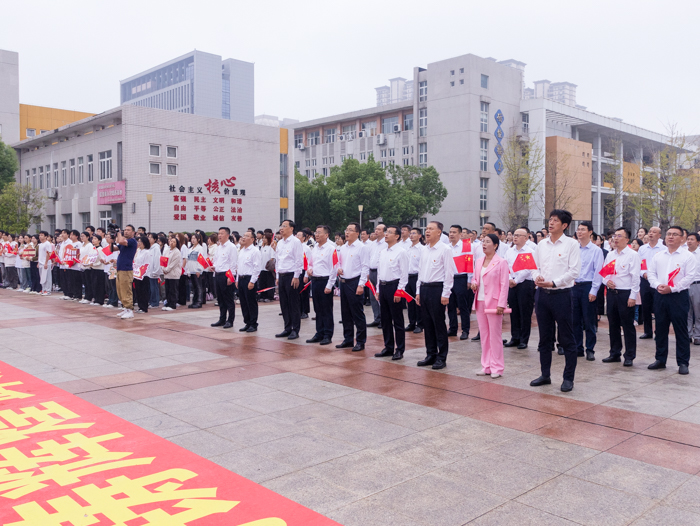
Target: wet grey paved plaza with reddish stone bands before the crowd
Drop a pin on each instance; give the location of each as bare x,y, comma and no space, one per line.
371,442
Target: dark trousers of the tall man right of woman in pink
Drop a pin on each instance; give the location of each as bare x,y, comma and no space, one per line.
551,308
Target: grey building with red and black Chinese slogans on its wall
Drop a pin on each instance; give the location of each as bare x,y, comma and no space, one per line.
159,169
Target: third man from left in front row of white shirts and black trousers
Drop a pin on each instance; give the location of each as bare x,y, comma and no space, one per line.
290,263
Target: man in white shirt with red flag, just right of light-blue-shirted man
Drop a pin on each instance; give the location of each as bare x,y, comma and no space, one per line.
623,288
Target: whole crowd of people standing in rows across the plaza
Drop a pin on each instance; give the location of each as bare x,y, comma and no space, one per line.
567,281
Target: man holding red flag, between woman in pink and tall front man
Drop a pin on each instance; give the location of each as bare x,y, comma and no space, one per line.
521,295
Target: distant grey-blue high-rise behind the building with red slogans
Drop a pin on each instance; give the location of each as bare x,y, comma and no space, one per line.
198,83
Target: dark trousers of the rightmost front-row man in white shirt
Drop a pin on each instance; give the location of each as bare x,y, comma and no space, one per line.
672,309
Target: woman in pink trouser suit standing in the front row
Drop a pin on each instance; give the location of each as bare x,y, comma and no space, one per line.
490,285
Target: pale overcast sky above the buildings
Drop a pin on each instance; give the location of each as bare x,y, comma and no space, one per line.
634,60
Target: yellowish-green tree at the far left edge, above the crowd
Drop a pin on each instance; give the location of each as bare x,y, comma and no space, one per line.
20,207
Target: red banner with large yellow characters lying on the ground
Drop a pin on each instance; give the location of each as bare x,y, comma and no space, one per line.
66,462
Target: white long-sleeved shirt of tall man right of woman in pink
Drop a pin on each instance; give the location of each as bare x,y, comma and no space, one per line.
558,261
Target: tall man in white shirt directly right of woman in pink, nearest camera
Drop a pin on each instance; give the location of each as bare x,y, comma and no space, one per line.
558,261
